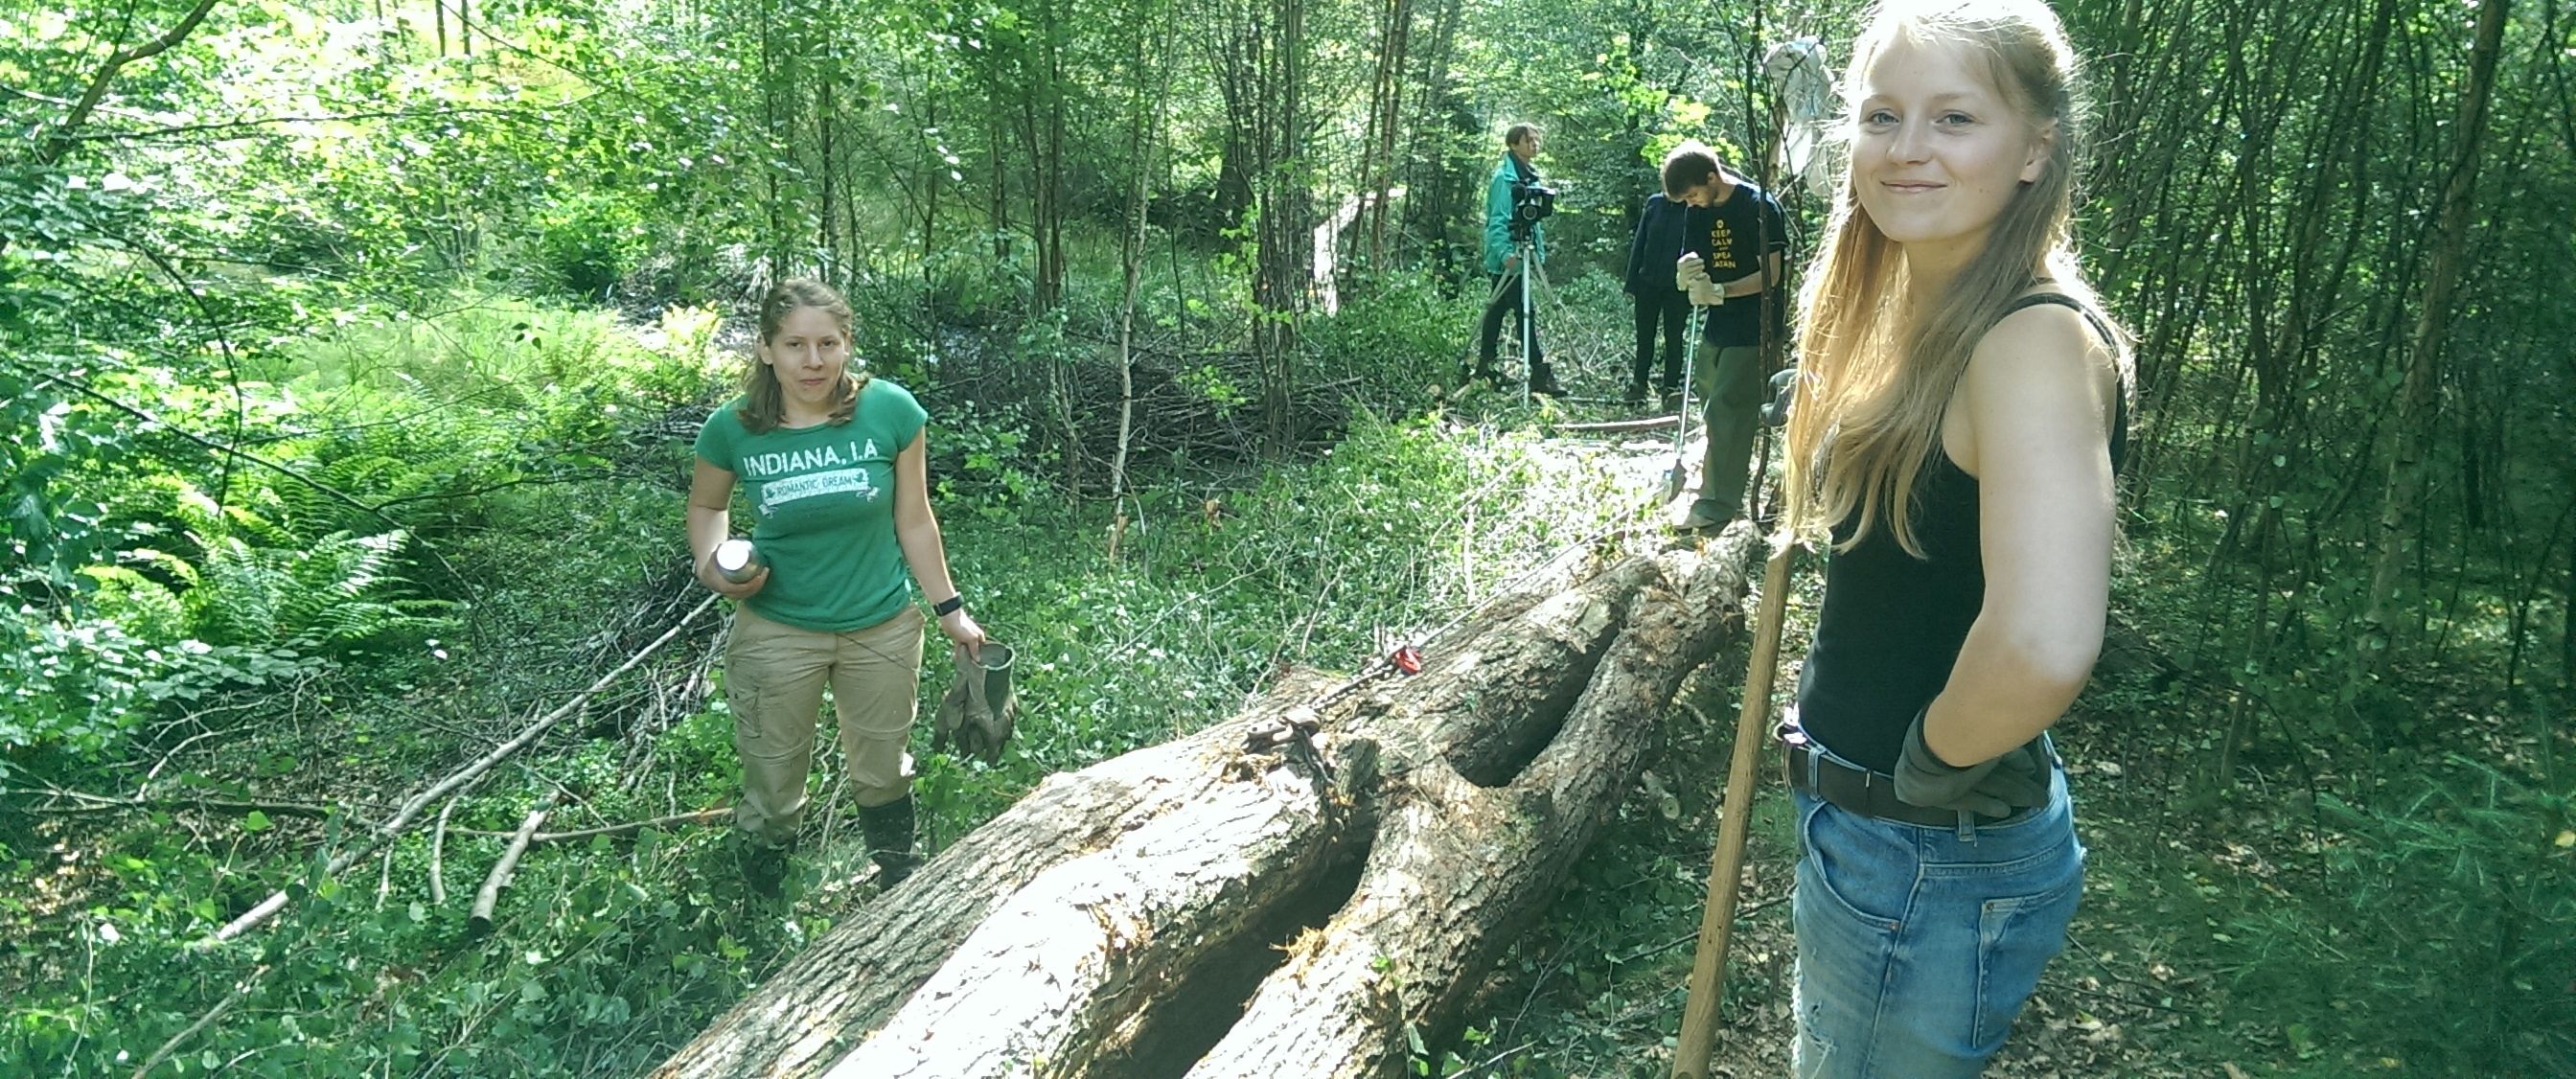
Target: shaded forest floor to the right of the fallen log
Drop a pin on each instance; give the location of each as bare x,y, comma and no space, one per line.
2294,926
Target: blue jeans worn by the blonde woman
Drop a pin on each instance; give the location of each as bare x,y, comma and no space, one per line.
1920,944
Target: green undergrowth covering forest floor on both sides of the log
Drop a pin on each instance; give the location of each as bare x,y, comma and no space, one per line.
277,668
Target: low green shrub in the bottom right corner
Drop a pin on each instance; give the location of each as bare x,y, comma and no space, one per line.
2438,934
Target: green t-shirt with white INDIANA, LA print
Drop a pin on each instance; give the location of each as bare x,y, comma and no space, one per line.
823,501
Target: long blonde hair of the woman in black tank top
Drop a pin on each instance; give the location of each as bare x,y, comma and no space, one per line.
1877,364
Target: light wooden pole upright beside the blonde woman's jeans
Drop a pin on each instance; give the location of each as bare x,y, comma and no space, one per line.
1727,872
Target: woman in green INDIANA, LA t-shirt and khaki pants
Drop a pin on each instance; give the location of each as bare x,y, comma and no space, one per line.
836,473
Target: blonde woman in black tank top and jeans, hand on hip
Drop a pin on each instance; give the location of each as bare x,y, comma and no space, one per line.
1954,444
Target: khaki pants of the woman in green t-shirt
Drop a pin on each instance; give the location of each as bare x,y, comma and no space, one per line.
774,681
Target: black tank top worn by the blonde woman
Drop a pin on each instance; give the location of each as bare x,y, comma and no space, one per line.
1892,624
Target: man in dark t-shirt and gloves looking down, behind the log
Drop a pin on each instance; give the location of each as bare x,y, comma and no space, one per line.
1732,261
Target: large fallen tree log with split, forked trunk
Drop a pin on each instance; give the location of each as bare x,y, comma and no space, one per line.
1284,892
